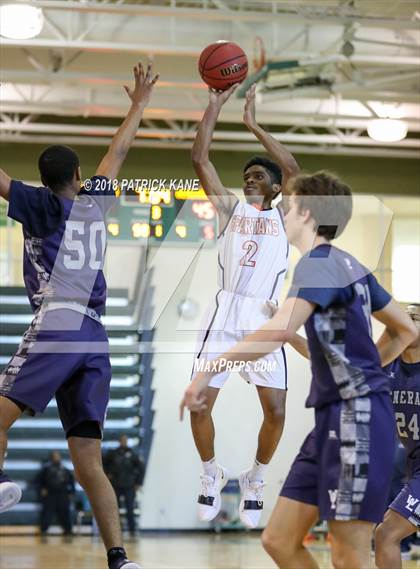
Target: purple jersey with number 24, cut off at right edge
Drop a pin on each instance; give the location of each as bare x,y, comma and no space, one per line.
405,389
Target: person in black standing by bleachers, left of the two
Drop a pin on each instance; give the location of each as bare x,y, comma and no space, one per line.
56,487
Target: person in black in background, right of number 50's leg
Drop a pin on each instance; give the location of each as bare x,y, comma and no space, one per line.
125,470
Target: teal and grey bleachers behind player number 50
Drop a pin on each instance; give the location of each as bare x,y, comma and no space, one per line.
130,411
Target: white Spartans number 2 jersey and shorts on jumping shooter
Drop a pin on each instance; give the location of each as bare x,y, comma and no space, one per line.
252,258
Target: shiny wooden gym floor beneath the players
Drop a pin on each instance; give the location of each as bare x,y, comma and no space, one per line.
152,551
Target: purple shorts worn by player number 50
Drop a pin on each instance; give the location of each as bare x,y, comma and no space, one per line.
72,364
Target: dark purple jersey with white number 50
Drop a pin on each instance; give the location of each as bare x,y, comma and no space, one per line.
64,243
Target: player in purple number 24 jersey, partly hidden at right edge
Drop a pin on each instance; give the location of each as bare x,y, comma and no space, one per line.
403,516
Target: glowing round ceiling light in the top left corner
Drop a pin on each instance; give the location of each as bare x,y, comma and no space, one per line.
20,21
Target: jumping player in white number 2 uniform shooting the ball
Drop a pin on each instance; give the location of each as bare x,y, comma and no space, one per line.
252,260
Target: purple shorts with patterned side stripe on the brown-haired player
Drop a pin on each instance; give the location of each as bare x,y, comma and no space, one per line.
345,464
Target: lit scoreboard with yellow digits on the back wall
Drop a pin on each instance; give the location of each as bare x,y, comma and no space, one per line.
153,216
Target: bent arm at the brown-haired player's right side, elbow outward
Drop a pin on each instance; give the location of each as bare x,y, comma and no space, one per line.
399,333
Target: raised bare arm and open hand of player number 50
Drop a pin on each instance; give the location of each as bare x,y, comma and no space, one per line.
143,85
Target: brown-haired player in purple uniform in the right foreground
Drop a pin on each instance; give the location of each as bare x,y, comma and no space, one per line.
343,471
